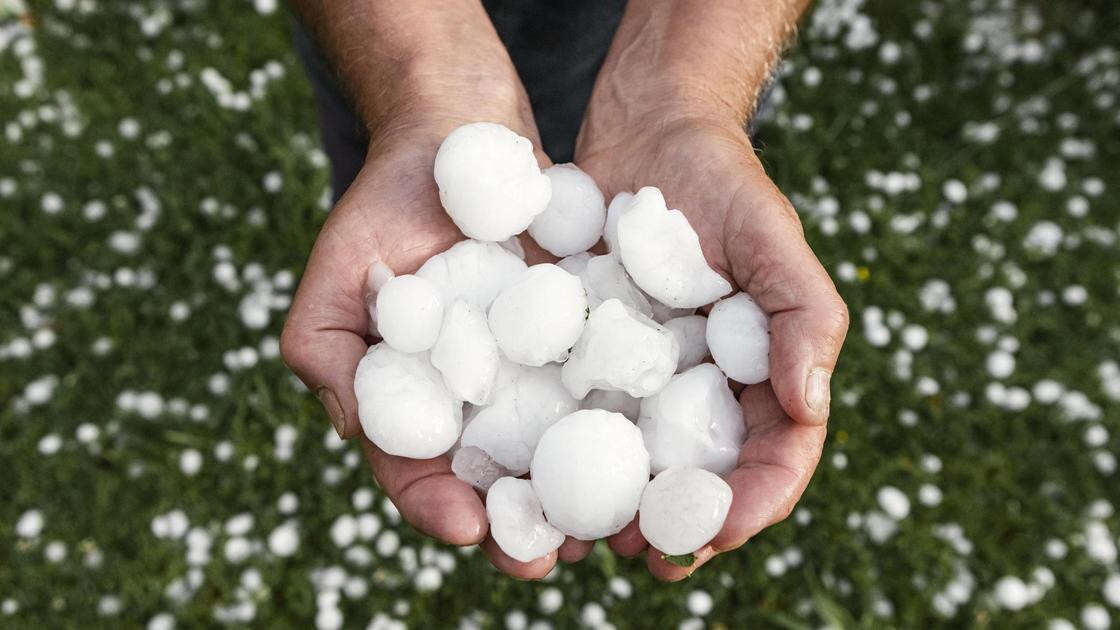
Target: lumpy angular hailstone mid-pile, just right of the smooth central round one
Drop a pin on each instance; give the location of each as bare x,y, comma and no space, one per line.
621,349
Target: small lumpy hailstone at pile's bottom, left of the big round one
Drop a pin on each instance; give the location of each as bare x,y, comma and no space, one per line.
517,522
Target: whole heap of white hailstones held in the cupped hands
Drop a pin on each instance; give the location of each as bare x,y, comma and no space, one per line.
589,375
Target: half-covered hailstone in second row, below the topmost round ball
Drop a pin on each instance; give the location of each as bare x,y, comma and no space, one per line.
473,271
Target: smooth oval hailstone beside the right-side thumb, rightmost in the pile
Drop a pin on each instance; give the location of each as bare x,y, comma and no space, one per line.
739,336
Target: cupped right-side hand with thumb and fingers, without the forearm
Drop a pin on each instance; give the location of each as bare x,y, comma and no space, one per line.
751,234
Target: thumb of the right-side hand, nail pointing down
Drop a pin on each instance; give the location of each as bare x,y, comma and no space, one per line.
809,321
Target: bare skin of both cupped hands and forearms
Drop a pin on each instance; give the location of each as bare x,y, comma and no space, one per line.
669,110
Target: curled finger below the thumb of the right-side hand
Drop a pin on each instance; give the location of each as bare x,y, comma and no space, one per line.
776,466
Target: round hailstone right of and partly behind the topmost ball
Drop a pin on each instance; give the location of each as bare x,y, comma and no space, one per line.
573,223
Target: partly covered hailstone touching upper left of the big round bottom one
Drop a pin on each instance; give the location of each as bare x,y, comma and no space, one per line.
527,403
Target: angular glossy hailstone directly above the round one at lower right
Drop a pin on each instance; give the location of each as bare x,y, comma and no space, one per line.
694,422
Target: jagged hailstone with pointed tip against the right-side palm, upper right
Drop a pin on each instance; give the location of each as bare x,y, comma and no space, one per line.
662,254
